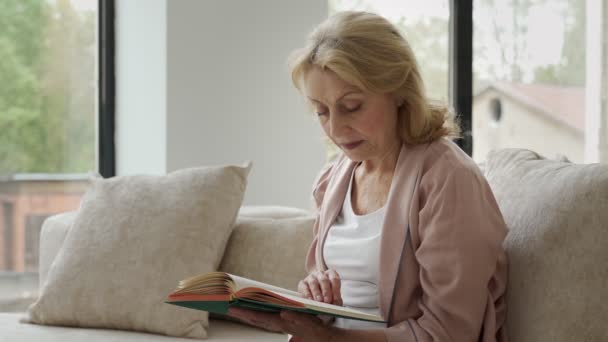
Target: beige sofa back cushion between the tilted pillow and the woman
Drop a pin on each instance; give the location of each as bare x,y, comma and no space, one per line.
269,250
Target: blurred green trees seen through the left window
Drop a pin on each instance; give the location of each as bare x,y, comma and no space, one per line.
47,99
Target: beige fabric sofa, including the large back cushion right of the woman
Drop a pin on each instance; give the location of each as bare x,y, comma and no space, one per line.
556,211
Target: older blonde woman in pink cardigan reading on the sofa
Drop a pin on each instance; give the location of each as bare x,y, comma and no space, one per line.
407,226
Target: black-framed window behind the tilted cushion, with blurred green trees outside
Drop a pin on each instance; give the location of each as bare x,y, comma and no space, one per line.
48,127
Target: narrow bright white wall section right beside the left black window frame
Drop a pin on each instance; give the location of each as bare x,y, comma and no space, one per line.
141,68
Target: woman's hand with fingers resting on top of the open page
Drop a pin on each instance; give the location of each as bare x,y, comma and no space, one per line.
322,286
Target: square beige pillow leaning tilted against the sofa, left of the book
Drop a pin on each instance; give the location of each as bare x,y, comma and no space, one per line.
133,239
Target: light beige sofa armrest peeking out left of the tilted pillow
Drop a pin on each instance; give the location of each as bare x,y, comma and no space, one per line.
54,230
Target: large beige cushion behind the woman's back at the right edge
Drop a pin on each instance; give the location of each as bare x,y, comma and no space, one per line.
557,213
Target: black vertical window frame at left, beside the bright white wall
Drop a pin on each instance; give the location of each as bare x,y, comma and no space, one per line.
107,89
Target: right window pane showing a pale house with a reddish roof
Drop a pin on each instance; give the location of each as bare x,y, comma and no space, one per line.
529,77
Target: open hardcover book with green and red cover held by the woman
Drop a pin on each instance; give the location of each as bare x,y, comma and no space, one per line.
217,291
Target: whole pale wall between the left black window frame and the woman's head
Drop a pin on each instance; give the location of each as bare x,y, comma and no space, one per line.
226,95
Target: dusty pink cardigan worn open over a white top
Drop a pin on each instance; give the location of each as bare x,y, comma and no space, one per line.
443,269
